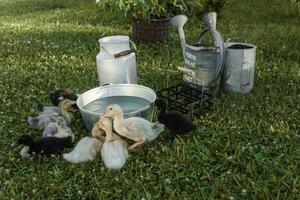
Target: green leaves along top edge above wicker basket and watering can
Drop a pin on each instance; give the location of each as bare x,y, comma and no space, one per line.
149,9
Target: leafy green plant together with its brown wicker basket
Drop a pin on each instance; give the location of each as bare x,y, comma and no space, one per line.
150,18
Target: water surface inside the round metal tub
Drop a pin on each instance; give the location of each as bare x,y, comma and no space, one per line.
128,103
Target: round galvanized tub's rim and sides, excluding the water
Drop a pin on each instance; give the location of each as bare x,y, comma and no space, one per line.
129,90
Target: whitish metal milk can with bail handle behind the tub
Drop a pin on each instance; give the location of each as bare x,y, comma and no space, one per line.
116,61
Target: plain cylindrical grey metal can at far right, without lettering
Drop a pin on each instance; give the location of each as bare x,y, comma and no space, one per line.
238,74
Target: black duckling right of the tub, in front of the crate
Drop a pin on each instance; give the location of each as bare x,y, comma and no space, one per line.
174,121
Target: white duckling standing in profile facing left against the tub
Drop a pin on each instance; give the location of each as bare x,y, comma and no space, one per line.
134,128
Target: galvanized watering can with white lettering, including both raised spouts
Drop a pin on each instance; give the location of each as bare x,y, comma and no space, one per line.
203,65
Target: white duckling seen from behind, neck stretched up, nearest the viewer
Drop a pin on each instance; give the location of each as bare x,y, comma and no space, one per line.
114,150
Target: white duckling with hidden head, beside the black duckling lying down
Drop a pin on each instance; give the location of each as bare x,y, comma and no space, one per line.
85,150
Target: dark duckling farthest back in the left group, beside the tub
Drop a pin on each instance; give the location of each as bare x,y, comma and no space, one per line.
60,94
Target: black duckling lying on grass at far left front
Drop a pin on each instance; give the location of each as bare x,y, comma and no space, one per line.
45,145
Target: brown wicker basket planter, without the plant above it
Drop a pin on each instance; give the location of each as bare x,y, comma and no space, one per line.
156,30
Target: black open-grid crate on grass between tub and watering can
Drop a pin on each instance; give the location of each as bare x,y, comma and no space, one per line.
187,99
